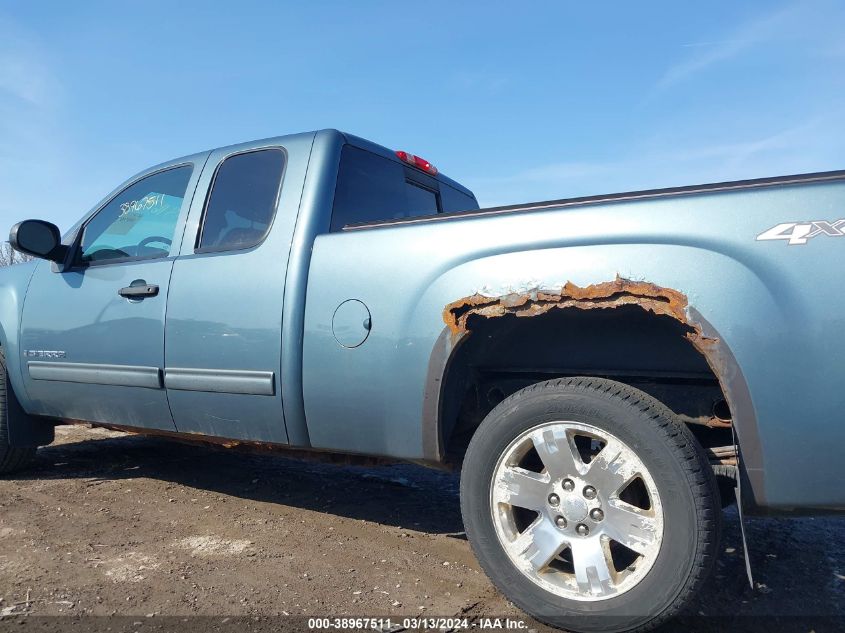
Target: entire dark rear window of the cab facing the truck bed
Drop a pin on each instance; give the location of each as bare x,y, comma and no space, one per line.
372,188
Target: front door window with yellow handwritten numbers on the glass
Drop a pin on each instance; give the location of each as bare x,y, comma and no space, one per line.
140,221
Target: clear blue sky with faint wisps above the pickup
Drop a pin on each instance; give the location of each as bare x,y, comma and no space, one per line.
519,101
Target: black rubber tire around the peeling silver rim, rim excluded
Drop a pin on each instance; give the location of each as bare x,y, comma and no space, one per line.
677,464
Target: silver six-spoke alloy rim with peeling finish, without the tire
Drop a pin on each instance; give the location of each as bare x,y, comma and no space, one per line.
576,511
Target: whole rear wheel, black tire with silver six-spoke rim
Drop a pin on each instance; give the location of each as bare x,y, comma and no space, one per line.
590,506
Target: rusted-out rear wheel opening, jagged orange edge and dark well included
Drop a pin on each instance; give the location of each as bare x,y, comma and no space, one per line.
711,403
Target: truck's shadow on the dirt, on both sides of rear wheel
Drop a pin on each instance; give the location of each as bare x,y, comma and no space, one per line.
798,564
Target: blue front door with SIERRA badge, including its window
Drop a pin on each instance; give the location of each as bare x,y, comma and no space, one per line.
92,335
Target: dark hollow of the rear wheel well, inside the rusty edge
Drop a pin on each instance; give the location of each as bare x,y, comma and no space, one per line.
652,352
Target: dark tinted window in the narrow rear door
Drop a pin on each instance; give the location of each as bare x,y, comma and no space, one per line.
243,200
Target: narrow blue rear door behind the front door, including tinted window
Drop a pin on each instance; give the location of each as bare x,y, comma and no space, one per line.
223,330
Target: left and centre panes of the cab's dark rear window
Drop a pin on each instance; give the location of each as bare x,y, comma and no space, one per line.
371,187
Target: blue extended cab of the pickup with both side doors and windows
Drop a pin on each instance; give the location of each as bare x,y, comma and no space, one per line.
181,289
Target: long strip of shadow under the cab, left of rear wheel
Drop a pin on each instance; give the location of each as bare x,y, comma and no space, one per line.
391,495
